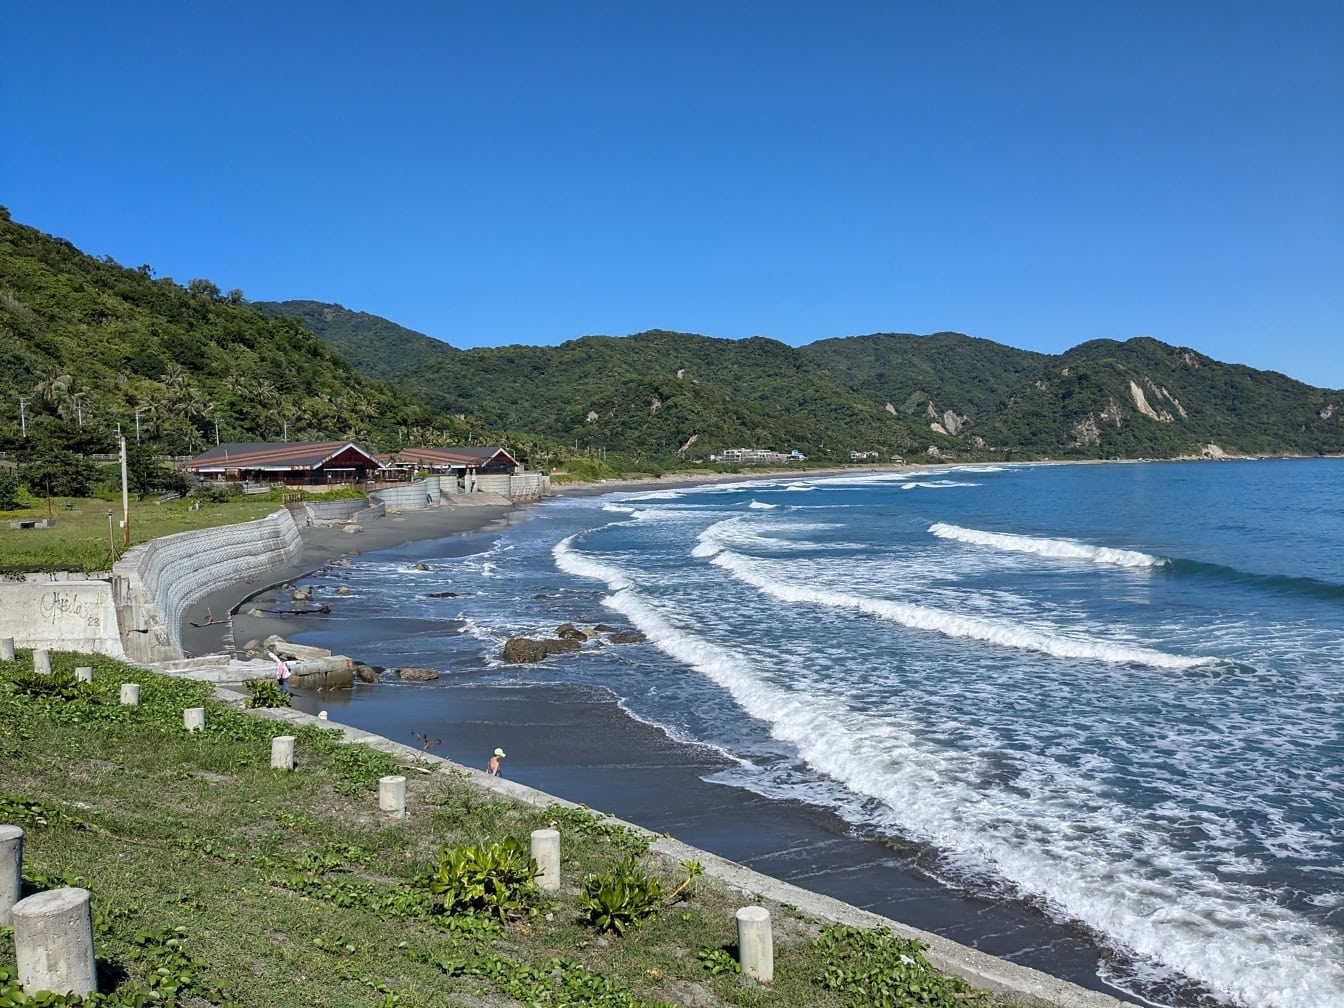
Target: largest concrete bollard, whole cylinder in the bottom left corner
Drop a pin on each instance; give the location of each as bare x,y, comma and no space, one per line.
53,940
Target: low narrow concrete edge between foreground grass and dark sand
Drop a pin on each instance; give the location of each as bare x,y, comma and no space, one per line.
1013,983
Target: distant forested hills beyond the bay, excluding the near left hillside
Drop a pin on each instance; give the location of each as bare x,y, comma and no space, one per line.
963,396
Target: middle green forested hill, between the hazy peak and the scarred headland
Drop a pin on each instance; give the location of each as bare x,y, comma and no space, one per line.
658,393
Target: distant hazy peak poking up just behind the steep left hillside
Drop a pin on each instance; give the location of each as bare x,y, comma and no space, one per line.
373,345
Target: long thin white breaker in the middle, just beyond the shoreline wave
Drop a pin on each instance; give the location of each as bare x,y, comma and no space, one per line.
1005,634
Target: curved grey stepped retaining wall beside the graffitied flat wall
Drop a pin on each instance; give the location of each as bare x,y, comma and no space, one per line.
158,583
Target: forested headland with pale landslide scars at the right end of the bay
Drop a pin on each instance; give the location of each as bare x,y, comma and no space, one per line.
1104,400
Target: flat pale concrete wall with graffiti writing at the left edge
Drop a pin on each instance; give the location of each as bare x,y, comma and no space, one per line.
61,616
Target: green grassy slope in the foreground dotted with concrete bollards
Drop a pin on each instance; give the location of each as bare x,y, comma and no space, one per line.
225,882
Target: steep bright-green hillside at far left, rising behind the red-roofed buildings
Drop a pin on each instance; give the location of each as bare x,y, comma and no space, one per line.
89,345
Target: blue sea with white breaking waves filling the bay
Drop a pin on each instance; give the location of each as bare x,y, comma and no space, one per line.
1112,691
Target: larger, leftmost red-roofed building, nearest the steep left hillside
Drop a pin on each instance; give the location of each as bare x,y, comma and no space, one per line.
292,463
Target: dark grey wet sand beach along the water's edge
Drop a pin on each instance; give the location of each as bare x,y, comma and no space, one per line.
580,744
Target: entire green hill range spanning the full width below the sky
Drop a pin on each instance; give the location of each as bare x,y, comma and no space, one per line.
88,343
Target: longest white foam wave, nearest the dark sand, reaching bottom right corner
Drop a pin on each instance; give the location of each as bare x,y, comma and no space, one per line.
1053,833
